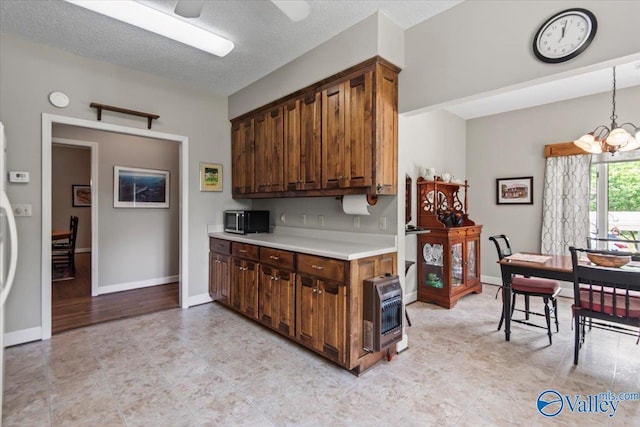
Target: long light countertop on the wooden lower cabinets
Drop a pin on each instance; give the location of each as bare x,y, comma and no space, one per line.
332,244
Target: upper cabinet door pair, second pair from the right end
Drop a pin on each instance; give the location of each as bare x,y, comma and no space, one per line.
302,124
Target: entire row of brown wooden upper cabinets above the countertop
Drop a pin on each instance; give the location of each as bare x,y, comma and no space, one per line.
337,136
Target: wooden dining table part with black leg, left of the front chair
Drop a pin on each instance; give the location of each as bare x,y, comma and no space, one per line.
557,267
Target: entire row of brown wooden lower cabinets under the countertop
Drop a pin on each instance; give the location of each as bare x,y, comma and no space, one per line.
315,301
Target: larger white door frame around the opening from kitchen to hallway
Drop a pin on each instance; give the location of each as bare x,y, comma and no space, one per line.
47,129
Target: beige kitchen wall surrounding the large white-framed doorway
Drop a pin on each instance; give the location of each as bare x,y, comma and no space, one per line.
28,73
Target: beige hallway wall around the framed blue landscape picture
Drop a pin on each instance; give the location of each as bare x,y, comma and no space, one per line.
134,245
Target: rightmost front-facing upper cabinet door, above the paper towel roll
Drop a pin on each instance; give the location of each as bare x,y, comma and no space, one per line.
358,131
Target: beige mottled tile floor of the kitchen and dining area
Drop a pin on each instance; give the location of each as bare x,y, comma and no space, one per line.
209,366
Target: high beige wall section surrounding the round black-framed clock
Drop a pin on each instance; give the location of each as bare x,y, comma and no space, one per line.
479,47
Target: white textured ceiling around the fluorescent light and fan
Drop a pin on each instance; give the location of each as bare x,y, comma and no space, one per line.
265,39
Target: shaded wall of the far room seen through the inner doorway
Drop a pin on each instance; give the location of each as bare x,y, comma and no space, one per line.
70,166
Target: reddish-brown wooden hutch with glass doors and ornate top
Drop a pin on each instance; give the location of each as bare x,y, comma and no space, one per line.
449,255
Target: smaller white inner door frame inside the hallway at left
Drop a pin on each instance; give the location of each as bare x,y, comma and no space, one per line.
93,147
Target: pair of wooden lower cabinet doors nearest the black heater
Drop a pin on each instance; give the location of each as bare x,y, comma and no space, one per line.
320,316
